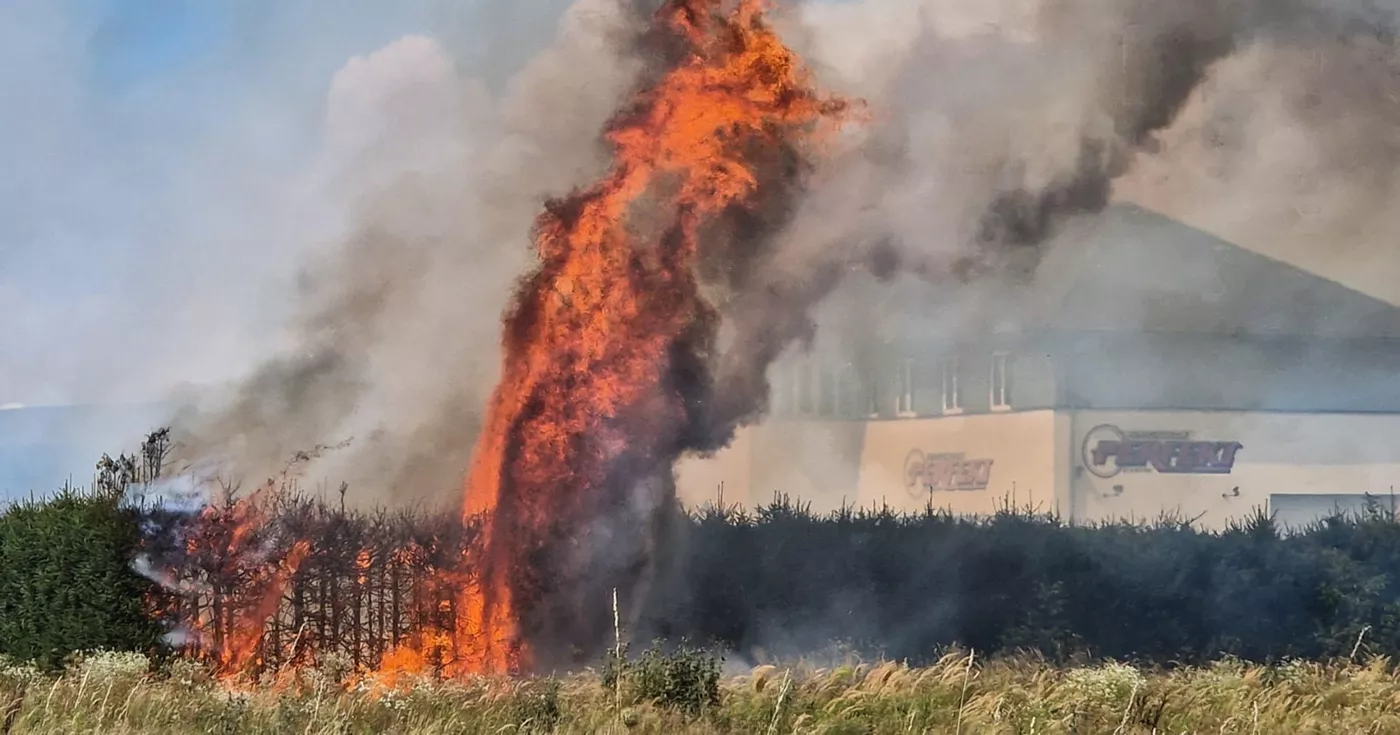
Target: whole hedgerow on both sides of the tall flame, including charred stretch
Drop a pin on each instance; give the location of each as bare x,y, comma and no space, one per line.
779,582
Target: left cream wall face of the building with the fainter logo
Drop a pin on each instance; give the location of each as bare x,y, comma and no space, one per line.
961,464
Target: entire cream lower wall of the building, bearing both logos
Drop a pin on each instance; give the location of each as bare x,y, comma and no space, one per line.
1214,467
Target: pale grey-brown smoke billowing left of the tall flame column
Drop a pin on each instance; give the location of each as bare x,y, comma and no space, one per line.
394,345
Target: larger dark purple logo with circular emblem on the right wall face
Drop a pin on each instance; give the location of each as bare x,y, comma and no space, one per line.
1108,451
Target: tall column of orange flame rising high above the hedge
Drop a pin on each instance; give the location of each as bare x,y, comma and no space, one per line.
611,331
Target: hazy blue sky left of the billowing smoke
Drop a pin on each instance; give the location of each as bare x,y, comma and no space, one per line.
159,173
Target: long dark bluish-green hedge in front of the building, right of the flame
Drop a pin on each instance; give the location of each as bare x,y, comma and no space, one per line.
786,582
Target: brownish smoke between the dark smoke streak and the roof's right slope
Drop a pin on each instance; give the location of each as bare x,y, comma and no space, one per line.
1290,149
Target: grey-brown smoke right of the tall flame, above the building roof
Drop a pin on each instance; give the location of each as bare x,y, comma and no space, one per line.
995,127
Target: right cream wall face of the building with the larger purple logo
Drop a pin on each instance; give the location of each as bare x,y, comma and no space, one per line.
1193,464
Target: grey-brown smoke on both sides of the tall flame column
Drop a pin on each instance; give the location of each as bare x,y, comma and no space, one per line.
990,125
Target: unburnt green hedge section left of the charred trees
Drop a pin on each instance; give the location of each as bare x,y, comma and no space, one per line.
66,582
